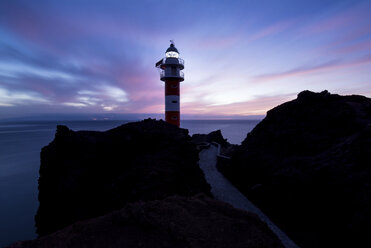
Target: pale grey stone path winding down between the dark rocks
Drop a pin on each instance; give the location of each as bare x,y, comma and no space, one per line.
223,190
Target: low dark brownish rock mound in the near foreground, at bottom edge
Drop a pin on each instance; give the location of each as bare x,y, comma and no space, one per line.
172,222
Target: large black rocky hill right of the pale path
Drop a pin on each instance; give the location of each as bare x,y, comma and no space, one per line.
307,165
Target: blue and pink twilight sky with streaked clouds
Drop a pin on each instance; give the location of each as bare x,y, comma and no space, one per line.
241,57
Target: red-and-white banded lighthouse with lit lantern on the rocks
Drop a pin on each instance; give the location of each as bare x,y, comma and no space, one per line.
171,73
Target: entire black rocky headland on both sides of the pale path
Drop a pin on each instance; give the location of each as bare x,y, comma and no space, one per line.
307,166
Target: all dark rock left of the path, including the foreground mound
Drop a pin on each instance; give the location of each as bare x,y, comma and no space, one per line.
138,185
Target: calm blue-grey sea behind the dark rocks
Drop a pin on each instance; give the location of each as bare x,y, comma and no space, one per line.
20,146
